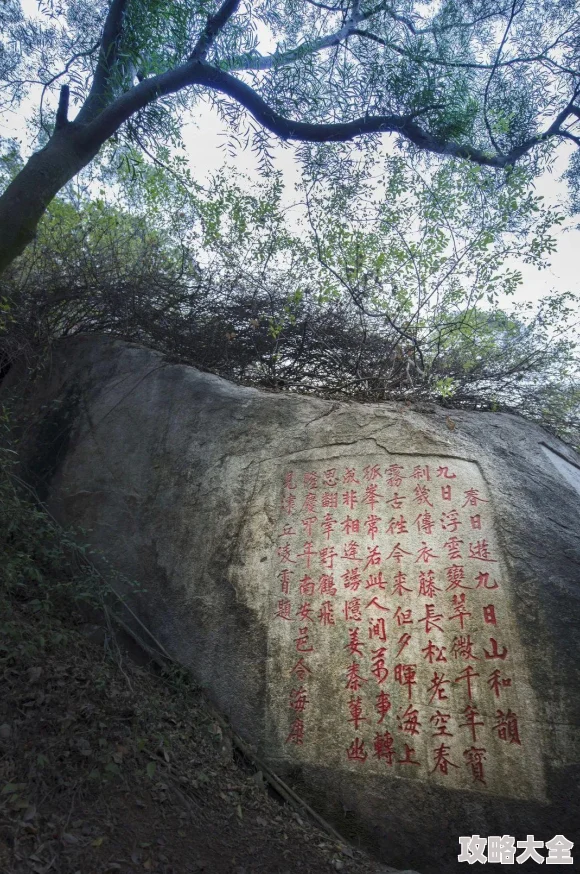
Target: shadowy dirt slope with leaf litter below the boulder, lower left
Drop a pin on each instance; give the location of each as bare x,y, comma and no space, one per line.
107,765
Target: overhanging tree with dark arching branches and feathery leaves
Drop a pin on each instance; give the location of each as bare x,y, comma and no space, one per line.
490,81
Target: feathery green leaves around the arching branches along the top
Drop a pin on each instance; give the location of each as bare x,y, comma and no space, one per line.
469,75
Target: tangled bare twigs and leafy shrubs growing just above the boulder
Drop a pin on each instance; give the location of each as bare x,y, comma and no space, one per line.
394,288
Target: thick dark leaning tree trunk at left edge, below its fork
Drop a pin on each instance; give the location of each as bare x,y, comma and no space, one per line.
25,200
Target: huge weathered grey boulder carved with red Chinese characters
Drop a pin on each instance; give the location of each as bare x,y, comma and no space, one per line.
414,675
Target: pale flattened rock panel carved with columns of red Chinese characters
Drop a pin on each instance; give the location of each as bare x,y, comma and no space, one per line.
391,643
